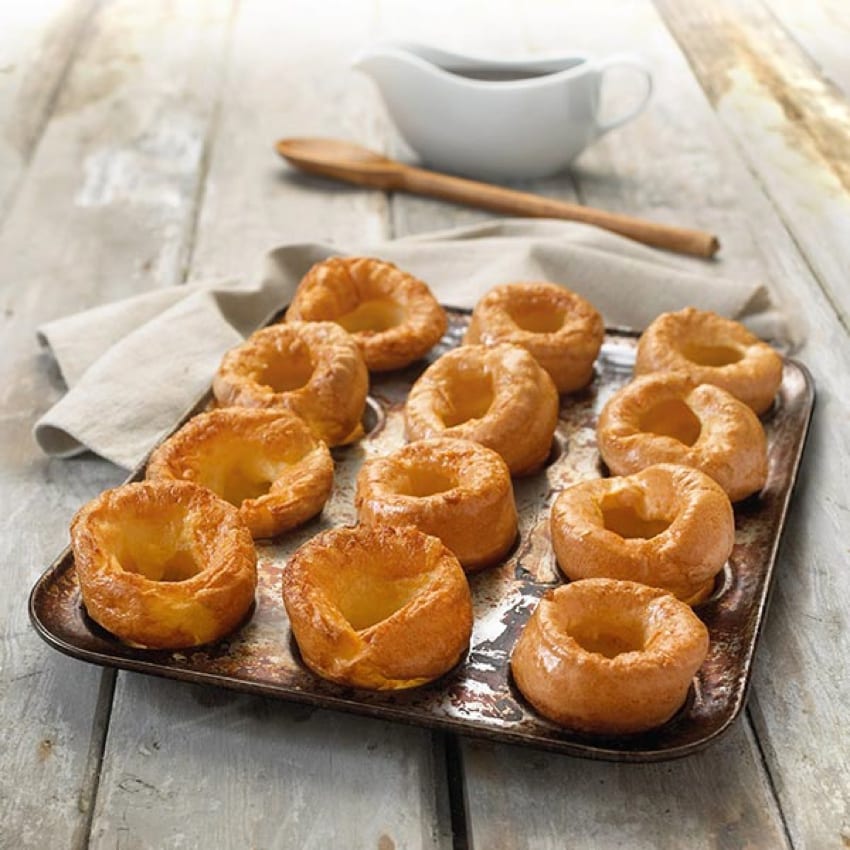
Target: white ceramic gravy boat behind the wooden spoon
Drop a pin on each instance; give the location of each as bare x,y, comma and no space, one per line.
495,119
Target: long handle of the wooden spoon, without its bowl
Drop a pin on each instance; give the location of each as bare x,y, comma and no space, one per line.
499,199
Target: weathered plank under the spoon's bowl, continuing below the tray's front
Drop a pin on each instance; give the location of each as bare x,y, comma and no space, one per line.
256,773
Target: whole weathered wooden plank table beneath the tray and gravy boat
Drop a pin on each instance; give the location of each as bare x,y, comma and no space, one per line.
136,152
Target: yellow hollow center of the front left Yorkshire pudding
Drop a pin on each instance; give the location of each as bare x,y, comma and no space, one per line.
155,550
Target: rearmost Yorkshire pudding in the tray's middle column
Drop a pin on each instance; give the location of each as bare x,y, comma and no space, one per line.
561,330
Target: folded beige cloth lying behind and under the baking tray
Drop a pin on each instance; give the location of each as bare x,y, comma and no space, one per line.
134,367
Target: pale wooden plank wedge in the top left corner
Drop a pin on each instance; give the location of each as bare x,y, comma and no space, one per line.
37,44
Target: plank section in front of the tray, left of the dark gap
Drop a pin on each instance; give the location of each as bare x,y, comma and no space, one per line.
188,766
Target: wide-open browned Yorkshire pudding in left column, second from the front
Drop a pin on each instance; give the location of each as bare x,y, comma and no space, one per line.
268,463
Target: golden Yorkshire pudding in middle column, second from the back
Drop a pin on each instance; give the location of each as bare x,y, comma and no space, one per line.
497,395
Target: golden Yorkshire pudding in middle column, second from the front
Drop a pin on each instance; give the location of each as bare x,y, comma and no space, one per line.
456,490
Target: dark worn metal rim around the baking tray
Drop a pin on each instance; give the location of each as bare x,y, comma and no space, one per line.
585,748
